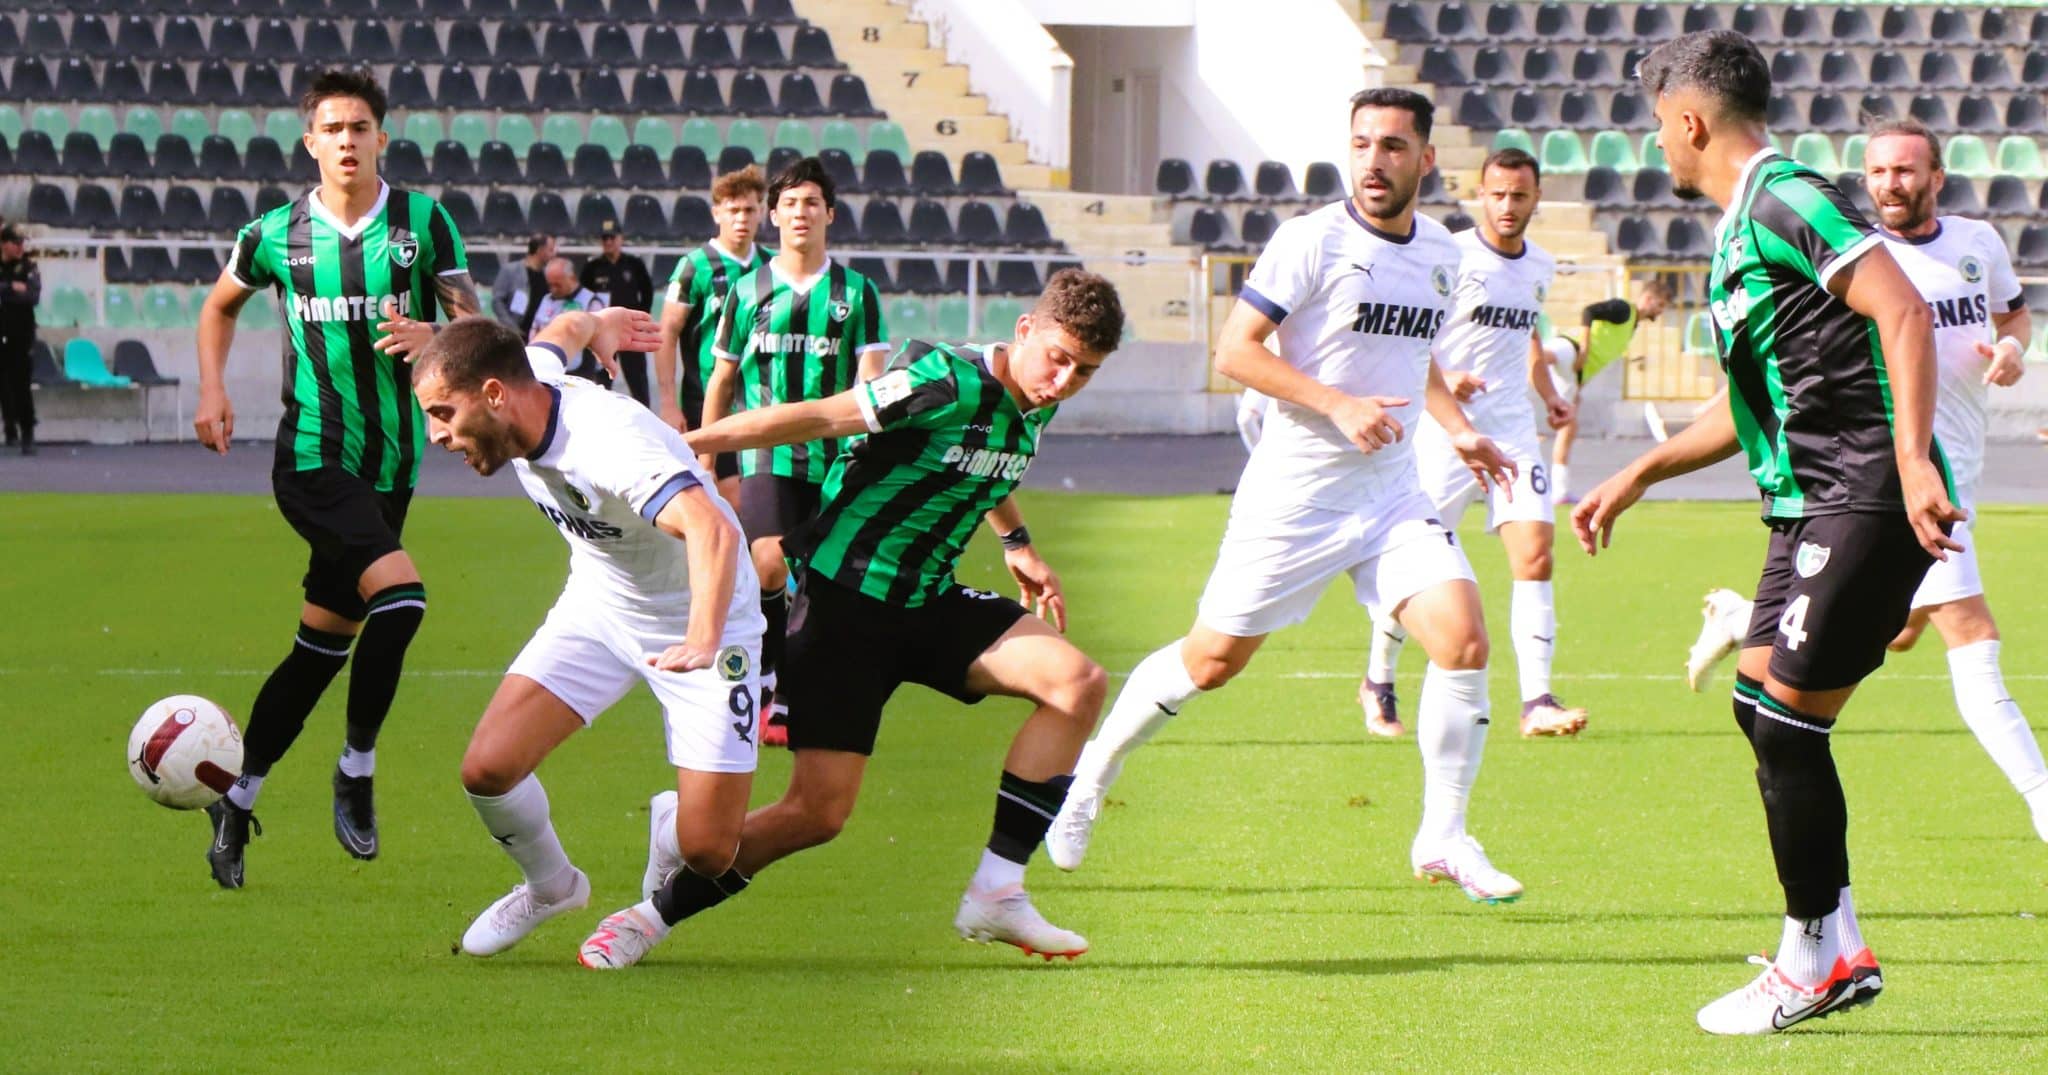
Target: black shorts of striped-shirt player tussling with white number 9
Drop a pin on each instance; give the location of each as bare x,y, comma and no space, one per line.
849,652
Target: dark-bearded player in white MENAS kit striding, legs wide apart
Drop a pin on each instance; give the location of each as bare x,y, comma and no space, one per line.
1355,294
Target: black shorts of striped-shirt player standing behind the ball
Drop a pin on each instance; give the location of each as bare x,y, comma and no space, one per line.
349,527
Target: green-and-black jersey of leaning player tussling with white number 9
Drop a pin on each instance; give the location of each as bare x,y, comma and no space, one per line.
947,443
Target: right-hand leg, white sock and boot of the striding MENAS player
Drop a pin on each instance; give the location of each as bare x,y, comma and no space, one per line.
1451,728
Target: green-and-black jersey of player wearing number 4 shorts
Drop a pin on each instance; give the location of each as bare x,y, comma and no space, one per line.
1807,382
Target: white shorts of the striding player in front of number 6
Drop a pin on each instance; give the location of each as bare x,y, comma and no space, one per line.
1273,568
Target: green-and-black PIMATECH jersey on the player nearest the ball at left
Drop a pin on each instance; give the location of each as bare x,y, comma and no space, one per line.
347,404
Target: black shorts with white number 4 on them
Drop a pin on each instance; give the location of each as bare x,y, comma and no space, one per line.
1834,593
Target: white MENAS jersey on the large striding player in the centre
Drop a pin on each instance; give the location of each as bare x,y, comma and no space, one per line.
1357,310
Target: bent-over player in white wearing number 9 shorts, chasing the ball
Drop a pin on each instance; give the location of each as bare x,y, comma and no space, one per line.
660,593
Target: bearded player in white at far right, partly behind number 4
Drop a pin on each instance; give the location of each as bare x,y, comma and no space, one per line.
1965,273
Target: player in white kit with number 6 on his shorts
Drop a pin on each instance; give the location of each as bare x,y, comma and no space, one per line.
1492,361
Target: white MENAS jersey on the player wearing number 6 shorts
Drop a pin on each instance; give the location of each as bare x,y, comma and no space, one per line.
1492,325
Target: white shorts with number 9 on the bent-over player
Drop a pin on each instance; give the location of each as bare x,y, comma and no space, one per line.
591,660
